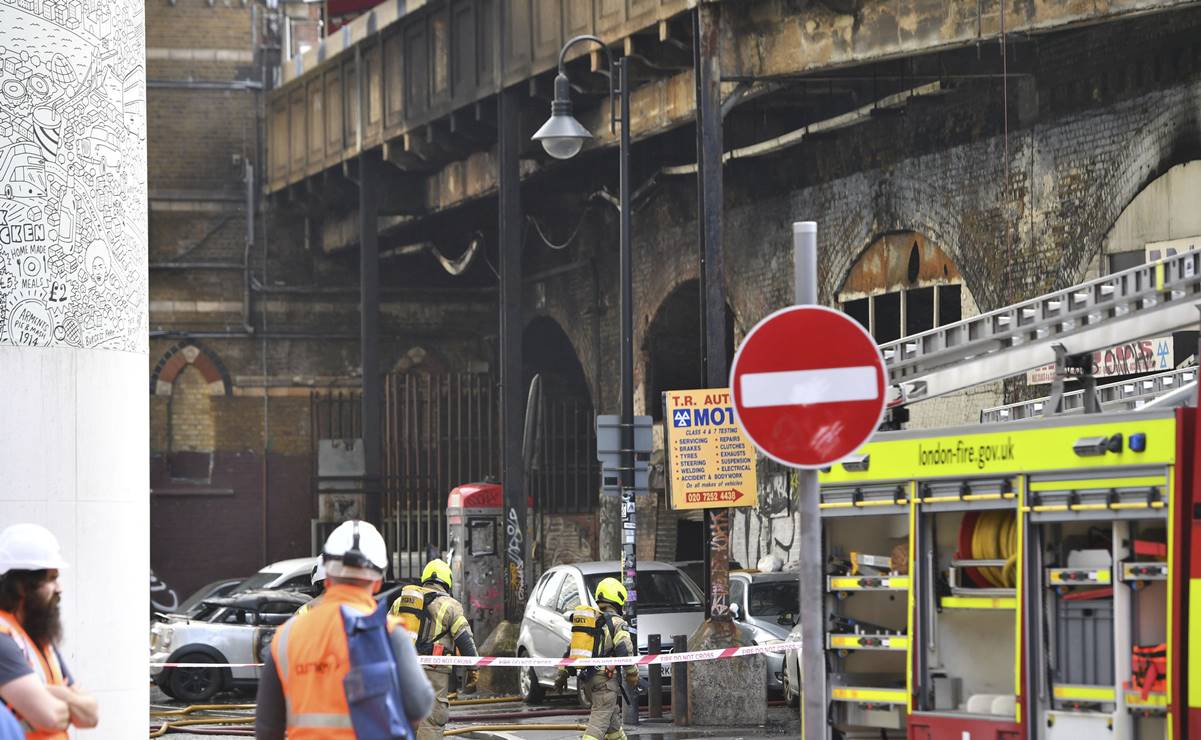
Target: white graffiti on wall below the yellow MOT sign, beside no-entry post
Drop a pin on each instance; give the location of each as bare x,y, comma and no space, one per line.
772,529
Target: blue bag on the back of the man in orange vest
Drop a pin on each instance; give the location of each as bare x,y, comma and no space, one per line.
373,685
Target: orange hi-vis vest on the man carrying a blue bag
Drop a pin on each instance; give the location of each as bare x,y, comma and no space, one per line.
312,659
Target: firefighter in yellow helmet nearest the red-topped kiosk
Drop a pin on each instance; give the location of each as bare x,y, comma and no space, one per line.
439,626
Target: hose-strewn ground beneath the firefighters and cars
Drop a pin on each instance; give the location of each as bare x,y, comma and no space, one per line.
782,723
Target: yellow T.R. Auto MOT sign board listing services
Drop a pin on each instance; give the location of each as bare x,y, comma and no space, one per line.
712,463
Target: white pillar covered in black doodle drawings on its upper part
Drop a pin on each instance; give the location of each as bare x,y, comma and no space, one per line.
74,336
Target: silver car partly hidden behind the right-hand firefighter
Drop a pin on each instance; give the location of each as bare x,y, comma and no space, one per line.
670,604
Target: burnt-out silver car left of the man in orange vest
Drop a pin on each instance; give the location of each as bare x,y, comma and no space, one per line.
224,630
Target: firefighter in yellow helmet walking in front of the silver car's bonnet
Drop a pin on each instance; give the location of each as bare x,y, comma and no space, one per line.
601,632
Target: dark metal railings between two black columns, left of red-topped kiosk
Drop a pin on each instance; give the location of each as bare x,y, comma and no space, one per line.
439,432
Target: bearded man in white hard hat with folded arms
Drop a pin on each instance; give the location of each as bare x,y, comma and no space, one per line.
34,682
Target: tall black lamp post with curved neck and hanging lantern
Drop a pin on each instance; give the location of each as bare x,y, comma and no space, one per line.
563,138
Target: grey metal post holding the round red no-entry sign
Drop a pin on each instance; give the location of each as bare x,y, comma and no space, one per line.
812,607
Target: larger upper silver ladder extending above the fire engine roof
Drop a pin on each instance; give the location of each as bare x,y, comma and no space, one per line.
1146,301
